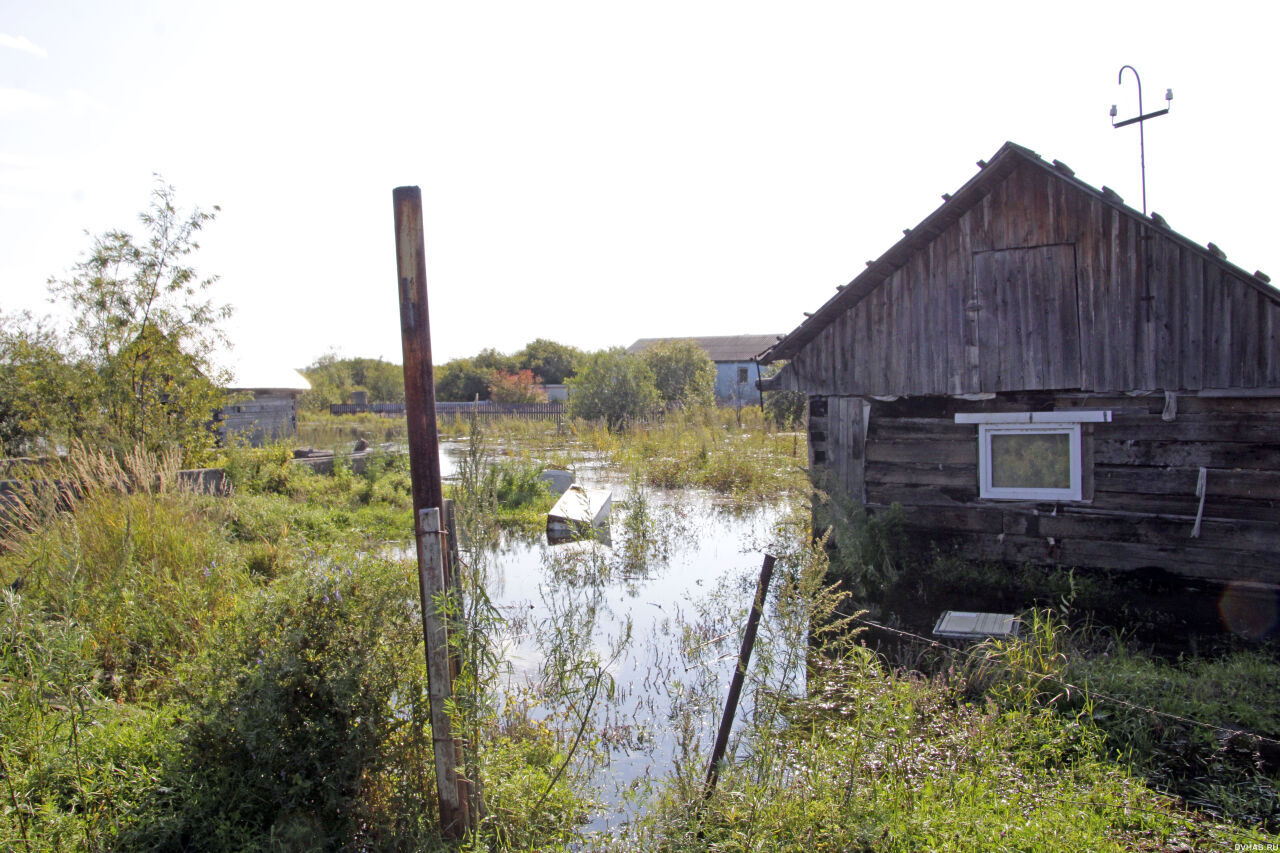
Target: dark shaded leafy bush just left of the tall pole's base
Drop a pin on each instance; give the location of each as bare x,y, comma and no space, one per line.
310,723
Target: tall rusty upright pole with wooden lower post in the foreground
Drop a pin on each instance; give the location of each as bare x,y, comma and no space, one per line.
428,498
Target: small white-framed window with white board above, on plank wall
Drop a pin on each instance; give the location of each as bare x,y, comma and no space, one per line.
1031,457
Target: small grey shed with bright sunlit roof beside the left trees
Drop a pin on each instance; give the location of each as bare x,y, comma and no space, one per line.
267,404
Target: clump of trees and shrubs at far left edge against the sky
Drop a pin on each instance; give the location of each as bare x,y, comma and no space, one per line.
135,368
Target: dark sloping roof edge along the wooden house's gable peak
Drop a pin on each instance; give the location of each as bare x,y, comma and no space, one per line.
990,176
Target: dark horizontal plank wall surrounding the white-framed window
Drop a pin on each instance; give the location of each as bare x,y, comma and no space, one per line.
1142,505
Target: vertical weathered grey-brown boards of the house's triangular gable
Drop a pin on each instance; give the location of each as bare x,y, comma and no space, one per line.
1044,286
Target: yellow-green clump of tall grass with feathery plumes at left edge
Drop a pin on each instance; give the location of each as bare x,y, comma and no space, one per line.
141,573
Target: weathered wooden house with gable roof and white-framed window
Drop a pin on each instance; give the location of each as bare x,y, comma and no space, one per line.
1040,373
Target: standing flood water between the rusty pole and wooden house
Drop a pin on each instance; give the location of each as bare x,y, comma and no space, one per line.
661,612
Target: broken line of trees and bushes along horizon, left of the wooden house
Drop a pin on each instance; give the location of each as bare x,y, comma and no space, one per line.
135,367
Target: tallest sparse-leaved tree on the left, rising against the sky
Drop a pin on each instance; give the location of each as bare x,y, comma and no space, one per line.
145,326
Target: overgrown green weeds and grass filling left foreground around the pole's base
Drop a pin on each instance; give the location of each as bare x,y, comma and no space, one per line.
185,672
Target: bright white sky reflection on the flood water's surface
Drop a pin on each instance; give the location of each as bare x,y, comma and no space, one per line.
696,546
